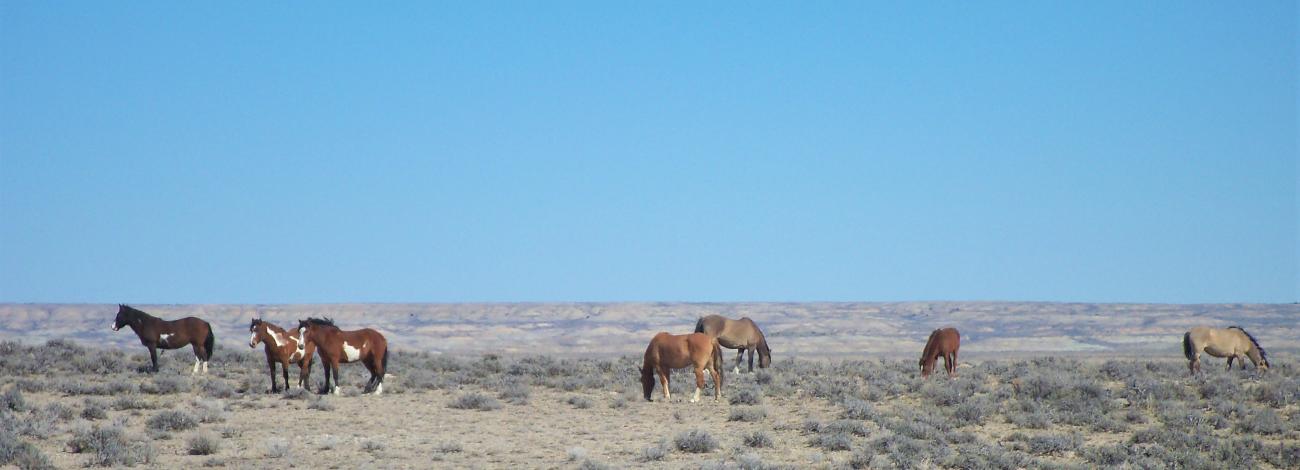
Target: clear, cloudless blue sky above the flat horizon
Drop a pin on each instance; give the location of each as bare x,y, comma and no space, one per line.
554,151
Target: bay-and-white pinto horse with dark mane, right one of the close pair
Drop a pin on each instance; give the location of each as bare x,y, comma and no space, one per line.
336,346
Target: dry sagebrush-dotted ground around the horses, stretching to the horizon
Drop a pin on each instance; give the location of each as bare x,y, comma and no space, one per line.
79,402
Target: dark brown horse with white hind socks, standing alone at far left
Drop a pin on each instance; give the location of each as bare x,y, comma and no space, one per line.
157,333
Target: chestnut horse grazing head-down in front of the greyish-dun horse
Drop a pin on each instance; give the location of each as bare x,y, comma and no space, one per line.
668,352
